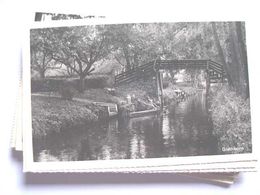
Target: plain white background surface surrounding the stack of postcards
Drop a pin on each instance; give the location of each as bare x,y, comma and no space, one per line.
15,15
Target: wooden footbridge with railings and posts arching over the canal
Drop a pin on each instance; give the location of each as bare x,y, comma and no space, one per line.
214,72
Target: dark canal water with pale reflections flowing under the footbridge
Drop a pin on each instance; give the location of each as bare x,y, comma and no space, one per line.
185,129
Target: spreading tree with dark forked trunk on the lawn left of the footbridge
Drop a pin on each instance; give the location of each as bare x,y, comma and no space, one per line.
79,48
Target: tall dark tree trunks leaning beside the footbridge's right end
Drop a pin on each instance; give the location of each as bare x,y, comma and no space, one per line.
233,54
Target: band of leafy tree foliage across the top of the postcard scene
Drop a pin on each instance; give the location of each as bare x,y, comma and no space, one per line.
131,45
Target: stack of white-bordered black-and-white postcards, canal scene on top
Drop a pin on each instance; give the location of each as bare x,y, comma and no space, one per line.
98,95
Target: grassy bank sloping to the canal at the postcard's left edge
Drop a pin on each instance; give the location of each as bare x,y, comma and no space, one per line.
52,114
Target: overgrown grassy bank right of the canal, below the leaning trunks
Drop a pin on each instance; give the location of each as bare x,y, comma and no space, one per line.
231,120
